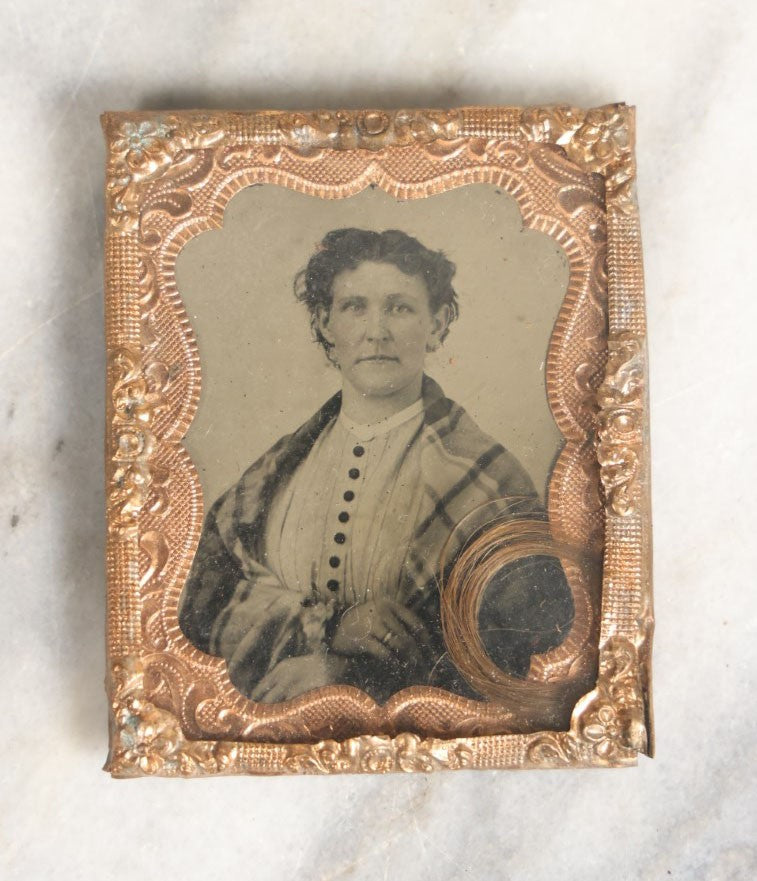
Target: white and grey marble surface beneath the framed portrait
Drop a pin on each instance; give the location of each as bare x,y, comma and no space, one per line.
690,68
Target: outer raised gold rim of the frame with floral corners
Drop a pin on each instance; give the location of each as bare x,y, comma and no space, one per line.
612,723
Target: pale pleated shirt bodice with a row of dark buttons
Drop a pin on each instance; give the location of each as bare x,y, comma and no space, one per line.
343,525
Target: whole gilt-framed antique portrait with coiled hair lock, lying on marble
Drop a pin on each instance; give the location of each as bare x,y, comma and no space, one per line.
377,441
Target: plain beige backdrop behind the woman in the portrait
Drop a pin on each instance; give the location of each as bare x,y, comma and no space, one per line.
262,375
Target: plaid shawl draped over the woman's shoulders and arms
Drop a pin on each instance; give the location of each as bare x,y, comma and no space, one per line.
235,607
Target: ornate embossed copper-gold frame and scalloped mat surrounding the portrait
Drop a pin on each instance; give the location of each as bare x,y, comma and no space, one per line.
169,177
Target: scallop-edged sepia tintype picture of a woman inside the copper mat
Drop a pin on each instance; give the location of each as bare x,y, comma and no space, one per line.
377,369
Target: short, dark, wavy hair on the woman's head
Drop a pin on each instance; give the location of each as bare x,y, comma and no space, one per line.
346,248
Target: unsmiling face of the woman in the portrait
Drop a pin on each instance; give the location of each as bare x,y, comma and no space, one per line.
381,326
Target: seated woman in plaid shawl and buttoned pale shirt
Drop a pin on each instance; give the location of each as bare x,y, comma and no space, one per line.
322,564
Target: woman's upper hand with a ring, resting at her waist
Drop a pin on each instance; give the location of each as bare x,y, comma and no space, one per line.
383,629
